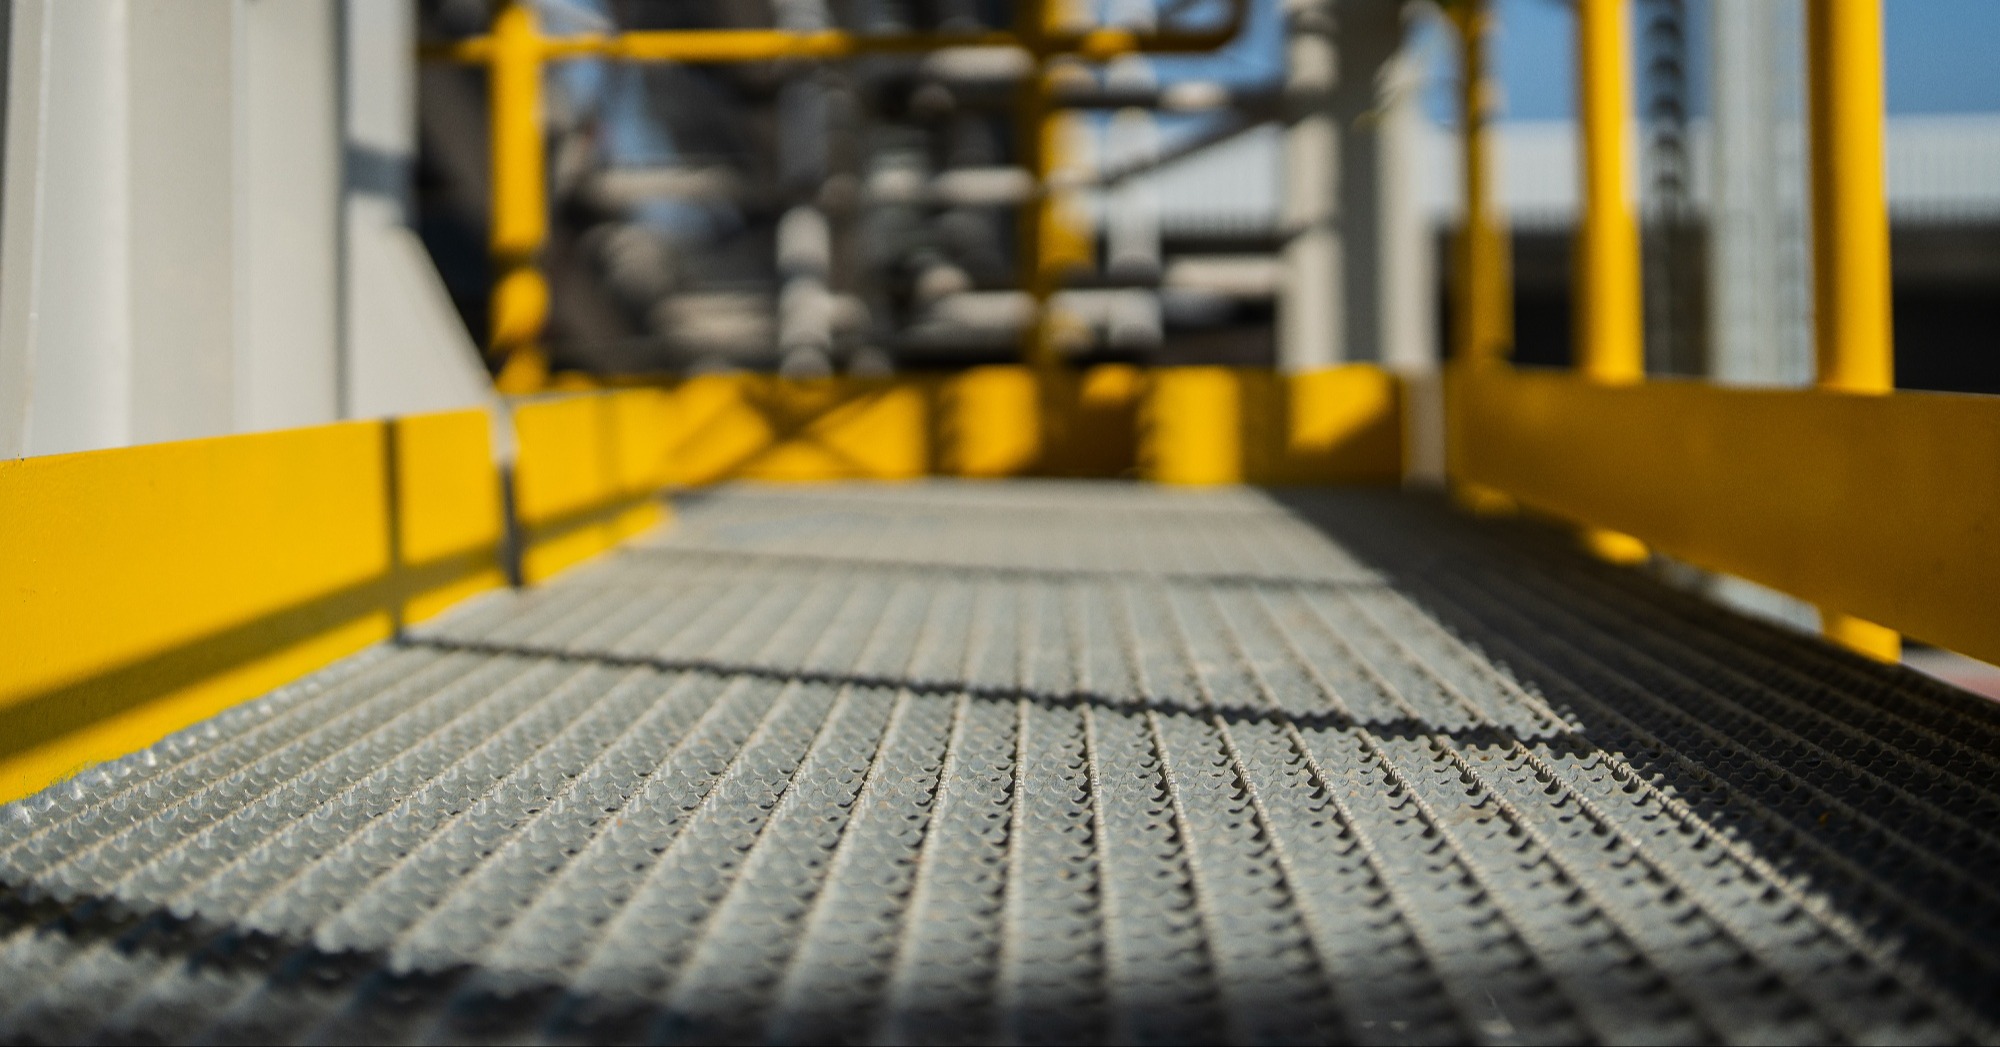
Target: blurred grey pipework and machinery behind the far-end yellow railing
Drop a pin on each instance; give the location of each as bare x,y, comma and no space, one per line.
869,215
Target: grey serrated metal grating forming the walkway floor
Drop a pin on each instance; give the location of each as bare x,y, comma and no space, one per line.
1041,762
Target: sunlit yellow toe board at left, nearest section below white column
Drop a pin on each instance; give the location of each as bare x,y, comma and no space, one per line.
147,588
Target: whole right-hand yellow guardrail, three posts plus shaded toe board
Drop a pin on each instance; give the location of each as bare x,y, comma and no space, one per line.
1851,497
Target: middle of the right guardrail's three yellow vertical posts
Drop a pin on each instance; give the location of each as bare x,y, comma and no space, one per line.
1607,279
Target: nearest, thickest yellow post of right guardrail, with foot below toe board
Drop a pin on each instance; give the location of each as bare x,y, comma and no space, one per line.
1851,281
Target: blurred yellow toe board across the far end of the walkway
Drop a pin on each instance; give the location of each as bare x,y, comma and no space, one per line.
1159,425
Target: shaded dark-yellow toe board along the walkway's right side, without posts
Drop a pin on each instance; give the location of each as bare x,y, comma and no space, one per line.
1875,505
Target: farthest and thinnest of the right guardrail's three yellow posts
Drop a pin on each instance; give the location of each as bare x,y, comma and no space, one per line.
1483,297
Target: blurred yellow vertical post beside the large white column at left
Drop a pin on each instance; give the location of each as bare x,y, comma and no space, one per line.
519,201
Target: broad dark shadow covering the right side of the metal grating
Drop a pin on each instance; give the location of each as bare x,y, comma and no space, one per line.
1867,788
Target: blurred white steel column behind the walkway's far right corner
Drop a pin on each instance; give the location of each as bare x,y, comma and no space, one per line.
1357,255
